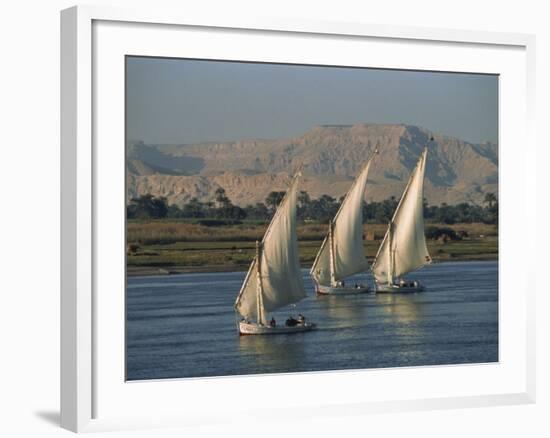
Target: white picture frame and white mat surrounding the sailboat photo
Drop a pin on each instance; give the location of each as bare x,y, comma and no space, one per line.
91,36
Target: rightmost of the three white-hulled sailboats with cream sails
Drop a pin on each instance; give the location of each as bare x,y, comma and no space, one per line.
404,249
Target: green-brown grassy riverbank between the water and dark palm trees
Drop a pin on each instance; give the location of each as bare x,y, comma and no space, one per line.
170,246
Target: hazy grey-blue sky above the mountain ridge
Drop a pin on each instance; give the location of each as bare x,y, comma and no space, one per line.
187,101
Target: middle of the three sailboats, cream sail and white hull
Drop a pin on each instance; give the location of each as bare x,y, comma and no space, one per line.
342,254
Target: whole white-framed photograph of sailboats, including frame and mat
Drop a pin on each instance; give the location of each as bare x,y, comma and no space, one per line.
278,216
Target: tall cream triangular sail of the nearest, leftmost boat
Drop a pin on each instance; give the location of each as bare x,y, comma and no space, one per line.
281,277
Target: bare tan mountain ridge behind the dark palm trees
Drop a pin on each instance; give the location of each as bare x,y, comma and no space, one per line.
331,155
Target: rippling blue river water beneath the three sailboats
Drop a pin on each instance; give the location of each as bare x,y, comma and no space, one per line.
184,326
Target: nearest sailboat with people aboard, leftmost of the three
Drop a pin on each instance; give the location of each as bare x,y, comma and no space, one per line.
274,278
